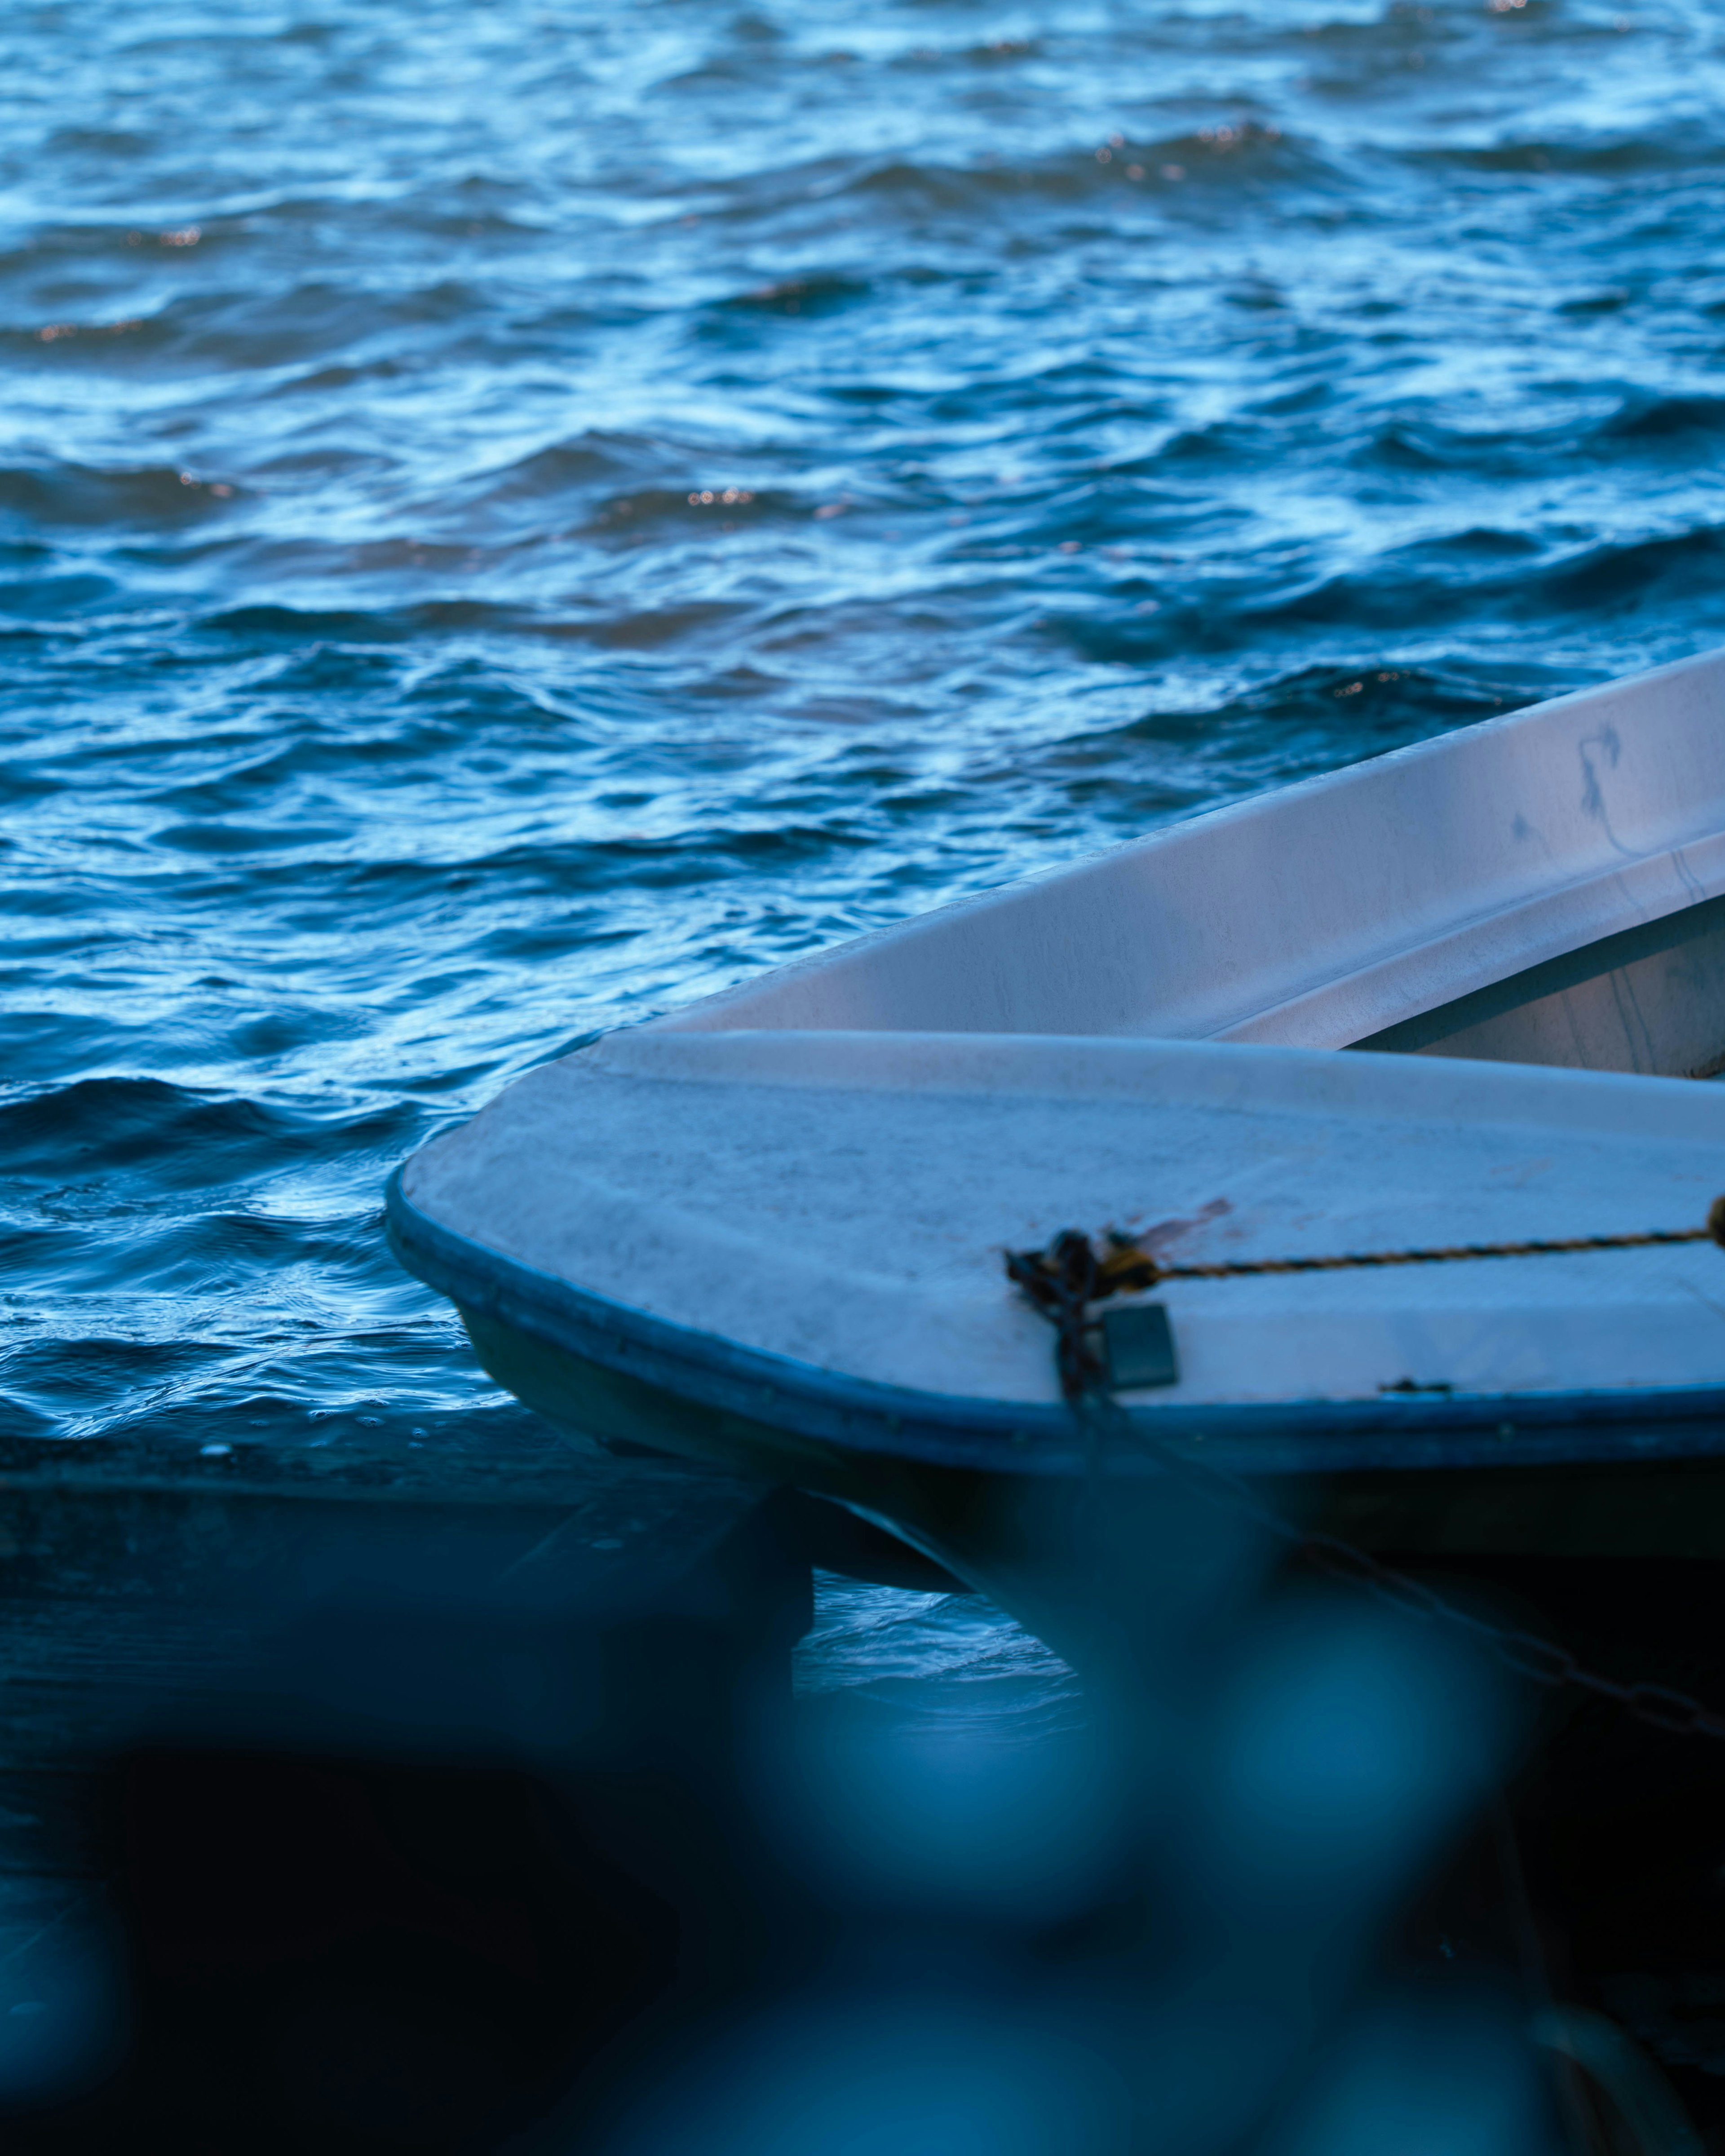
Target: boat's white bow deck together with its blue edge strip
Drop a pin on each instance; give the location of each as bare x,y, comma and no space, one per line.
801,1236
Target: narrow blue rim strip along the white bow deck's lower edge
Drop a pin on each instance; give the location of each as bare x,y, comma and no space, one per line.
859,1418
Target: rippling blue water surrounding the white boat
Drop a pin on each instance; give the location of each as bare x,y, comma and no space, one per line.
516,516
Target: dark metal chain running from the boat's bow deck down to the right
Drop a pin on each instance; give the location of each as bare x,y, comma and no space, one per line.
1068,1277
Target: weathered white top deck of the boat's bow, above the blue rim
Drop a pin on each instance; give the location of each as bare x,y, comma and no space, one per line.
844,1200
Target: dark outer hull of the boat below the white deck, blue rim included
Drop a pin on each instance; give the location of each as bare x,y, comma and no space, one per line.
1558,1476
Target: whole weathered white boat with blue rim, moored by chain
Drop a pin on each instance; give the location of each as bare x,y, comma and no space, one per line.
769,1230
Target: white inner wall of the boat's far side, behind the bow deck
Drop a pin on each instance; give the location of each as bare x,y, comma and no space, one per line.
1327,913
